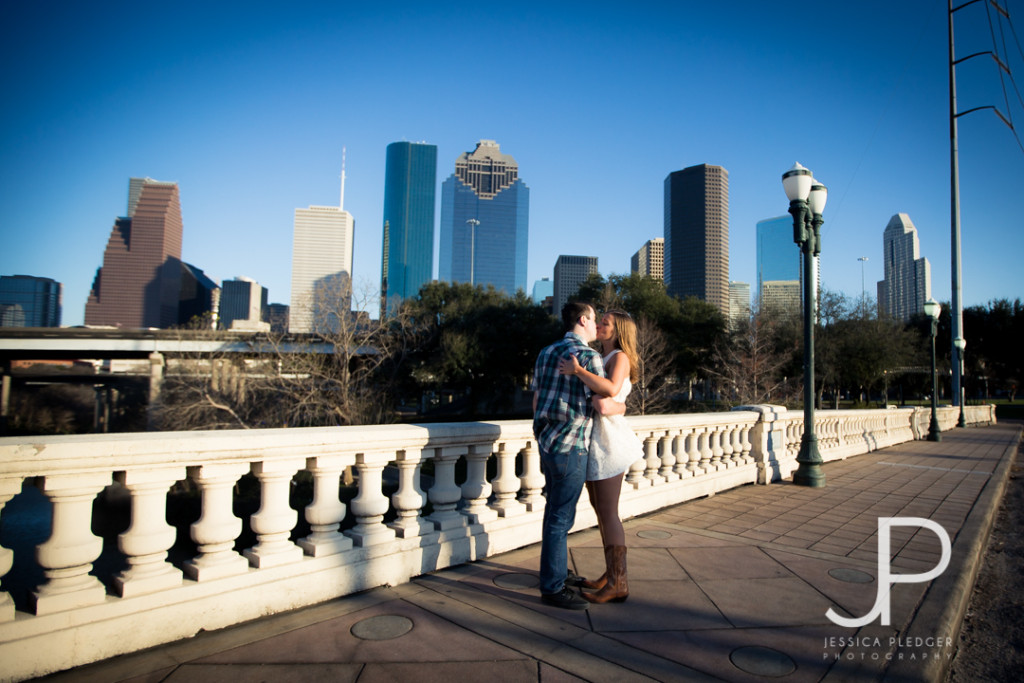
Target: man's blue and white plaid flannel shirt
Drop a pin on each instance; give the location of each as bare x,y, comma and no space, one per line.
562,421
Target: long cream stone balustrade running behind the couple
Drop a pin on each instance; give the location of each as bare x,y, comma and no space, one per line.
350,548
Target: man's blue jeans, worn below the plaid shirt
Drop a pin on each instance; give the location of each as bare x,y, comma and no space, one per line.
565,476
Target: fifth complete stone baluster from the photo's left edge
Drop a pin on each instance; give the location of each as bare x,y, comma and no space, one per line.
326,511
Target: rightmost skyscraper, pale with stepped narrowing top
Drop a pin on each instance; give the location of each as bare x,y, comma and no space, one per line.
908,281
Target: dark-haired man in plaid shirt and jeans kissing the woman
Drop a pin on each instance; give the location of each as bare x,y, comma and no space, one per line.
563,425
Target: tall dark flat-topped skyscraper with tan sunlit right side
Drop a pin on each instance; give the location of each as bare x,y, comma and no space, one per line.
697,235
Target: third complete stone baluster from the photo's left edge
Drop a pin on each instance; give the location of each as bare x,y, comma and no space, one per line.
218,528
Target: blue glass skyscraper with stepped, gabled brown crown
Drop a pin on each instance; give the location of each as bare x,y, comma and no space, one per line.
485,221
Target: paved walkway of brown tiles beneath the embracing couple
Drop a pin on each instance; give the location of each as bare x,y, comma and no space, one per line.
732,588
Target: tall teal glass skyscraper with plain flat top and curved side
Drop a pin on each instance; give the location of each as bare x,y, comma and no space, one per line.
410,179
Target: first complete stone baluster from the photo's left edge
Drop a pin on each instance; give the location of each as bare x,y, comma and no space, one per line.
68,556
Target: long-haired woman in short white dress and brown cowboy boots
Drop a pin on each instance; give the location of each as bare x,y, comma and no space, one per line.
614,448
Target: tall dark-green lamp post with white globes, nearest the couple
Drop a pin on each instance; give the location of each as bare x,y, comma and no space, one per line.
807,202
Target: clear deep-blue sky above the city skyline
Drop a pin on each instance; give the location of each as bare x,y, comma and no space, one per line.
248,106
